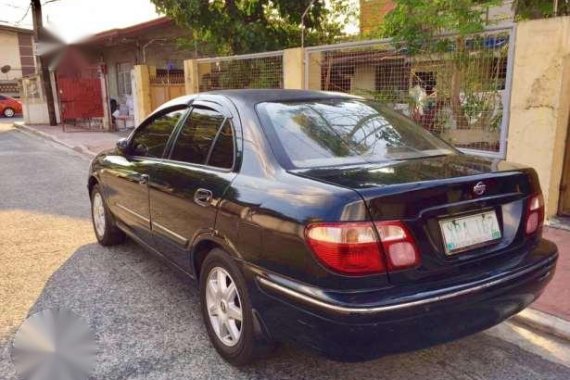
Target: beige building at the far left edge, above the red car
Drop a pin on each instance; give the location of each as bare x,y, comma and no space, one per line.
16,58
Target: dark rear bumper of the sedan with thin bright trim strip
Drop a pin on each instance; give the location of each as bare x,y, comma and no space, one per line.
351,332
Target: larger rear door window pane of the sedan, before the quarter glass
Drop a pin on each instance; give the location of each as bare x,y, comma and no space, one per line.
197,136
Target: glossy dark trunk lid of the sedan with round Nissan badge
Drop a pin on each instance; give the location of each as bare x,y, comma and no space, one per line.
424,192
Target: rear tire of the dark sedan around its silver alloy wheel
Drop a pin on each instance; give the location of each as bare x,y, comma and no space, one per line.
241,351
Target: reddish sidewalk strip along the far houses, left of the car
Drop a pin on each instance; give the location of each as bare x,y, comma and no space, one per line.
87,142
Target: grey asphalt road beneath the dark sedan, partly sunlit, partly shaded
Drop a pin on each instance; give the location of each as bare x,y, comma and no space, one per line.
147,320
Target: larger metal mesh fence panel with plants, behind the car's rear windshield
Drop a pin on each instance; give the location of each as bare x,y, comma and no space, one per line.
457,88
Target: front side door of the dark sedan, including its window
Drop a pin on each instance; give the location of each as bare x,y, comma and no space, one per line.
129,174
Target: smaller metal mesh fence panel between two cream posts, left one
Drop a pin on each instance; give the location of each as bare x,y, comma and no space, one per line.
262,70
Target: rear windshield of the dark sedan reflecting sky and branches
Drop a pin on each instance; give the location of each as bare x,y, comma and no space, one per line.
337,132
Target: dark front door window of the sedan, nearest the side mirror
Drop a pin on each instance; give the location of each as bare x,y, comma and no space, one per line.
150,140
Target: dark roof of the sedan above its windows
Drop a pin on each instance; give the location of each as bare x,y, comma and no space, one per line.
253,96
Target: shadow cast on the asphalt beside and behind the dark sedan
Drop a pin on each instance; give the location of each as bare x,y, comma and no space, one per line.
148,325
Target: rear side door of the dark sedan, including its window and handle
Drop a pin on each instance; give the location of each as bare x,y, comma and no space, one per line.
187,187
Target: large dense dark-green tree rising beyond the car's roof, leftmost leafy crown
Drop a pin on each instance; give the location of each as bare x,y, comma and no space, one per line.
249,26
